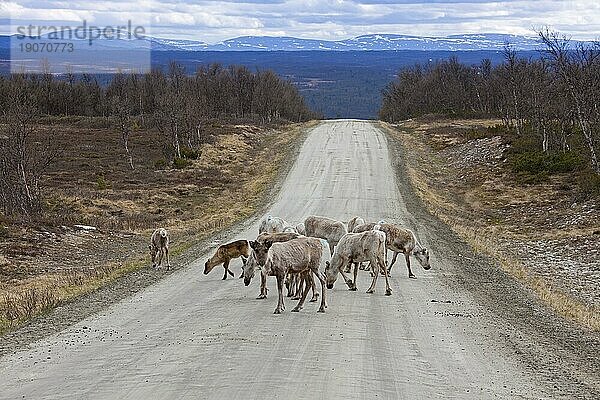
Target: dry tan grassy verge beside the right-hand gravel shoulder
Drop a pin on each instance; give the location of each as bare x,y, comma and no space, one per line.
467,212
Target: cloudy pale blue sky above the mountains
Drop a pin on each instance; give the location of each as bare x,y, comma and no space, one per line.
213,21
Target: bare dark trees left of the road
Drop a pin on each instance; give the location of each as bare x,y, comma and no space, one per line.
174,103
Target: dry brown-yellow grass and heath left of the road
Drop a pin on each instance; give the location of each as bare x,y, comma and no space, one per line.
226,185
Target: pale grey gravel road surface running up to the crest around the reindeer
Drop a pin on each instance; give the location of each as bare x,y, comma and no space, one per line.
451,333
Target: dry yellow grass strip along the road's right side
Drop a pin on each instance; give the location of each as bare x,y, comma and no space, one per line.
482,234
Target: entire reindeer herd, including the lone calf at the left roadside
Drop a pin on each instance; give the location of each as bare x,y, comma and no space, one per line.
319,247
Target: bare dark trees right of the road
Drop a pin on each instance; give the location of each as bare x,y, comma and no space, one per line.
550,104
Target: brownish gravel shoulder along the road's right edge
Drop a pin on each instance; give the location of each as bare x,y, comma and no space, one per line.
558,351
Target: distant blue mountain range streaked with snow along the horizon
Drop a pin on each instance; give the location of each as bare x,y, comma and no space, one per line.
375,42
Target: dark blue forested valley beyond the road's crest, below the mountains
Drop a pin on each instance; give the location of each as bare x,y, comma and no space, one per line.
335,84
